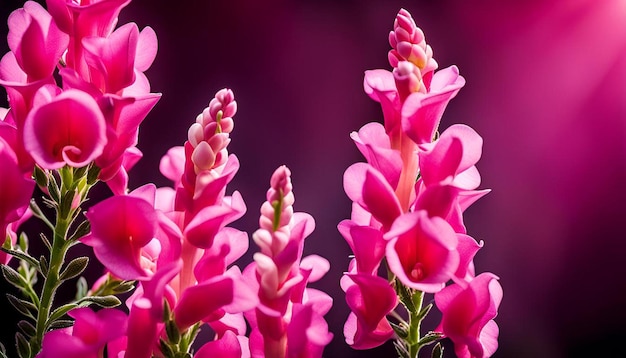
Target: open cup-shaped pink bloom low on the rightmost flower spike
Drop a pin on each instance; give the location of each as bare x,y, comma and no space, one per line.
422,251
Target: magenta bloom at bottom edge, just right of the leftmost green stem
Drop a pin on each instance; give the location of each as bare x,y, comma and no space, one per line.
91,332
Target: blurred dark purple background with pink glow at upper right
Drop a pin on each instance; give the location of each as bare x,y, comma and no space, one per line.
546,88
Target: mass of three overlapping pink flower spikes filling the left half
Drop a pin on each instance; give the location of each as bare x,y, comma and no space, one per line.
172,245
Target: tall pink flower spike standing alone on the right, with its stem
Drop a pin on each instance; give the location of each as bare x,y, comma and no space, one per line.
409,198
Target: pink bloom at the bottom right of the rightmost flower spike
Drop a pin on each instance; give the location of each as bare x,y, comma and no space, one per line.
468,314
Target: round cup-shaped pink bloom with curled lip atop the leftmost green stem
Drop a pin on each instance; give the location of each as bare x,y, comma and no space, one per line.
70,129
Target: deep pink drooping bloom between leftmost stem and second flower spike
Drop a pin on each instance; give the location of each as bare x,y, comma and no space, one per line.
118,246
